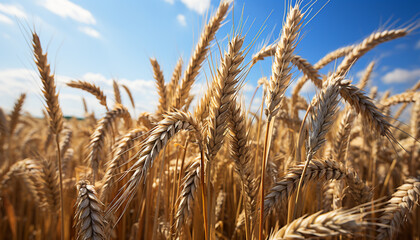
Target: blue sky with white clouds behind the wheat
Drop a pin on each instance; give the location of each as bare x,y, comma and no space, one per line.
101,40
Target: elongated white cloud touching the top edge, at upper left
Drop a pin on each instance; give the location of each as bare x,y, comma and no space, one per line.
65,8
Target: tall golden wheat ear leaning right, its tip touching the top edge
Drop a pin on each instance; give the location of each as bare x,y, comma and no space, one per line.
200,54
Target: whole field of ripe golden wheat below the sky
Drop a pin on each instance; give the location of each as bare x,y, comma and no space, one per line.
345,170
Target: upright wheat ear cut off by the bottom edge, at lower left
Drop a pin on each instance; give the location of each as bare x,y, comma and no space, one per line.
89,215
